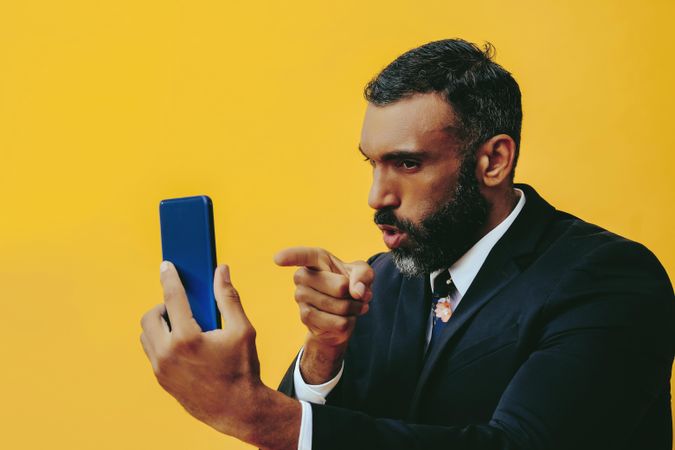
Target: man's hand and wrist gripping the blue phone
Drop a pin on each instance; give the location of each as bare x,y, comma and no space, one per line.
215,375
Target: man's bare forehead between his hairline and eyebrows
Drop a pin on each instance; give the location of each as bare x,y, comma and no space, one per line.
417,121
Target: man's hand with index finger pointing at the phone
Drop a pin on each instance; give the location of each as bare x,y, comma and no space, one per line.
331,294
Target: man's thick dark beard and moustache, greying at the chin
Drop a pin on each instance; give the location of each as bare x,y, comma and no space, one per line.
446,234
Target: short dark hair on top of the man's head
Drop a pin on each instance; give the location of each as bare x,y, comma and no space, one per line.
484,97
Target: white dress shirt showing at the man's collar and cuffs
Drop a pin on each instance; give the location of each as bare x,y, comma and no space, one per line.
463,272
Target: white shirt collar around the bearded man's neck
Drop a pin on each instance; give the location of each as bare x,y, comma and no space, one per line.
465,269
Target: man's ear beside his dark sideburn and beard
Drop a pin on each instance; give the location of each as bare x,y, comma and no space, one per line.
494,160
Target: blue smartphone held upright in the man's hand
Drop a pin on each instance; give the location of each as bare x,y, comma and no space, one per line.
188,241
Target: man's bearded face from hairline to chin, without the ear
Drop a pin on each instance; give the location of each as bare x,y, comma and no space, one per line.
426,196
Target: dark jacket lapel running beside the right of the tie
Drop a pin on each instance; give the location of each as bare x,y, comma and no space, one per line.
498,270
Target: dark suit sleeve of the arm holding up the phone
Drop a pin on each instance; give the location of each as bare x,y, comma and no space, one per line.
602,359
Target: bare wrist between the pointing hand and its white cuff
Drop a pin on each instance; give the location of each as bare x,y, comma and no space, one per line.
321,363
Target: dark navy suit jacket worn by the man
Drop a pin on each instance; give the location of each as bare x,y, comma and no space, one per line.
564,340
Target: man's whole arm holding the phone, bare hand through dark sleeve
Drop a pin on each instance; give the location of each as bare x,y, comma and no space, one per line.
604,358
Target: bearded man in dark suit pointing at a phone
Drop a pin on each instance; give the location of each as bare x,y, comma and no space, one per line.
495,321
